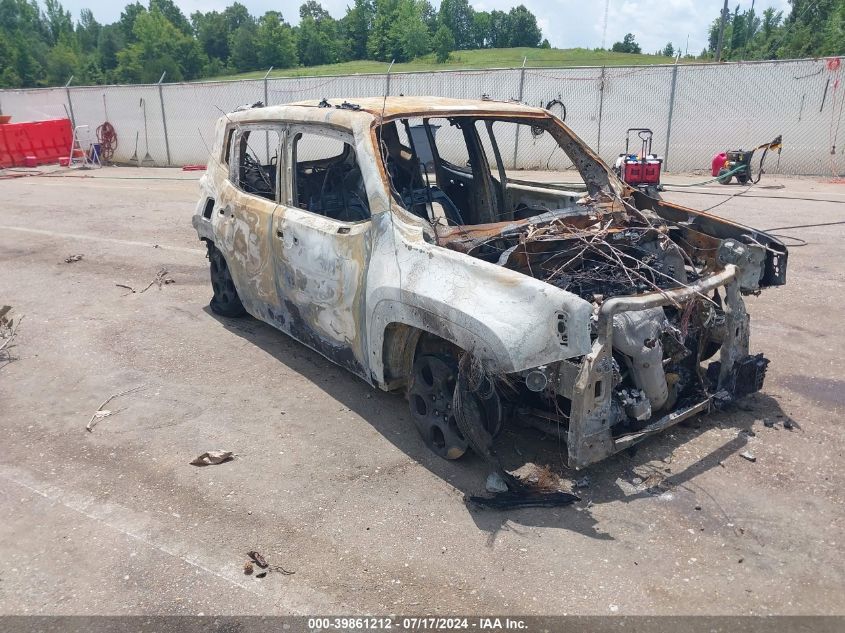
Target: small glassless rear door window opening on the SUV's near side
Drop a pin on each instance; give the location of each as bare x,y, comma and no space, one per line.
258,160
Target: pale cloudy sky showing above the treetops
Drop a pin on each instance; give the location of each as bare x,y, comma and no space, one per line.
566,23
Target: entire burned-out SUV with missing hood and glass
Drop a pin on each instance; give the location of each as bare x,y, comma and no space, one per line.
397,238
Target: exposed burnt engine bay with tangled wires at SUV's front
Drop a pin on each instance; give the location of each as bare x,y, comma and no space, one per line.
604,247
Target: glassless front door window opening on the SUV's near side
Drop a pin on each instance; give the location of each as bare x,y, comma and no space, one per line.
327,178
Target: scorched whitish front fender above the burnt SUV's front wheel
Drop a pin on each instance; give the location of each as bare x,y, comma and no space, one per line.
504,317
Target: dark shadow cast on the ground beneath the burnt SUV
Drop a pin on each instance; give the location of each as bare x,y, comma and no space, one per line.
612,480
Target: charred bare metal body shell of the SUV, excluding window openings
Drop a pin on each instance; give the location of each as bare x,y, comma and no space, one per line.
365,294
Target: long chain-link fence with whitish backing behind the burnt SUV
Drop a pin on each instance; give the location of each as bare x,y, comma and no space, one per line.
695,110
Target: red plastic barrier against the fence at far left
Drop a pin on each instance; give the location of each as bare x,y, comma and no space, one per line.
46,140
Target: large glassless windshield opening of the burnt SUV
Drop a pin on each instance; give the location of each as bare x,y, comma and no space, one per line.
460,170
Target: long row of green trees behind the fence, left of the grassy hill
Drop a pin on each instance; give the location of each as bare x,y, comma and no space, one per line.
47,47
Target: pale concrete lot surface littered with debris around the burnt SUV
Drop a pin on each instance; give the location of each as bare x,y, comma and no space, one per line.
331,480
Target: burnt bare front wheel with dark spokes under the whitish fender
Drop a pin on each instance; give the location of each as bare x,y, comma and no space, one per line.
430,394
